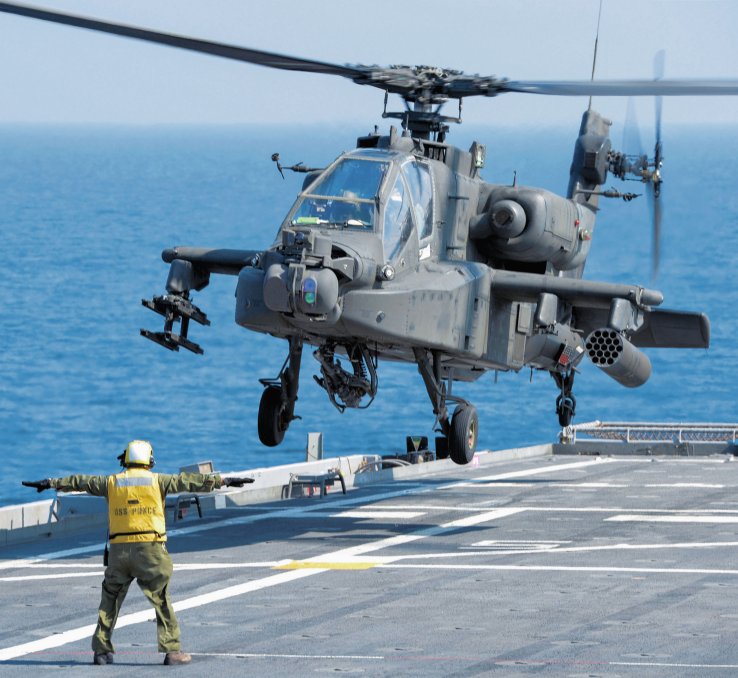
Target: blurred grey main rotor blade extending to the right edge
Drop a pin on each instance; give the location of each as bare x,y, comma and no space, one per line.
618,88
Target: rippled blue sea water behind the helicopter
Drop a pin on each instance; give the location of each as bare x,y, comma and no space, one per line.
85,213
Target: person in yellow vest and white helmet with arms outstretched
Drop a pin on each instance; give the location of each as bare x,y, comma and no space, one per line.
137,536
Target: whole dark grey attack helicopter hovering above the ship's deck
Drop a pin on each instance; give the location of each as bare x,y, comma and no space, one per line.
399,250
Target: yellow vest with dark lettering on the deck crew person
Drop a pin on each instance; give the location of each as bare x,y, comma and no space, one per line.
135,507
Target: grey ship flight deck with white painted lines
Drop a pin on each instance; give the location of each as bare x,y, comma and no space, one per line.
522,562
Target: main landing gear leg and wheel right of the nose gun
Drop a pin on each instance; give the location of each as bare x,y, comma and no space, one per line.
459,440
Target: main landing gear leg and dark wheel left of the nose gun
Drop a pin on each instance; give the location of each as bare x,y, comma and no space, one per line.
277,404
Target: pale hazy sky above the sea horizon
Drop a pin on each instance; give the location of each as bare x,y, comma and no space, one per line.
59,74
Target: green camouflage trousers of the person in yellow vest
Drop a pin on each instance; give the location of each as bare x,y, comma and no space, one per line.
150,565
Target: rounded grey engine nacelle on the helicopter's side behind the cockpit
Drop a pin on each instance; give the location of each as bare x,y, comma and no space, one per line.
533,225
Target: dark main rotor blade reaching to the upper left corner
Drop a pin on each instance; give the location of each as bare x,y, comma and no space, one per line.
254,56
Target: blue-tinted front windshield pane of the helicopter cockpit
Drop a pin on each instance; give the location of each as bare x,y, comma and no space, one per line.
346,196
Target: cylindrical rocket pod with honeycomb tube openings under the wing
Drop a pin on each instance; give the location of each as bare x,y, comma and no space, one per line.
618,358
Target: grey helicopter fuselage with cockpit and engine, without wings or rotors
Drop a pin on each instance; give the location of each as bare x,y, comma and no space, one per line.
395,245
